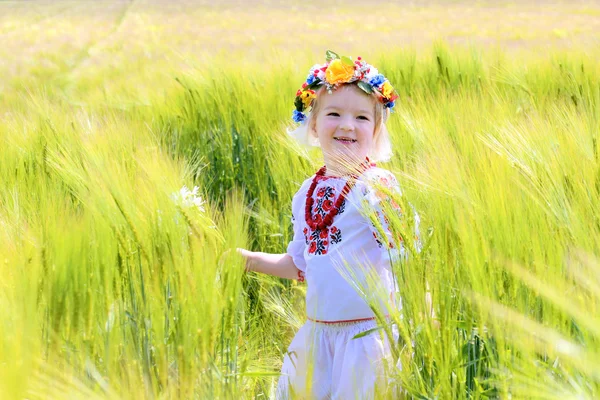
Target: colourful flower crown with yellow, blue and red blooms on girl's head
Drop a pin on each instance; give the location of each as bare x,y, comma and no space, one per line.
339,70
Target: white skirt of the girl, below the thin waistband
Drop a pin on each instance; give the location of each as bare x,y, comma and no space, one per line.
325,362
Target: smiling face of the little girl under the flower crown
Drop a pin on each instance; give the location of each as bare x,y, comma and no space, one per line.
345,126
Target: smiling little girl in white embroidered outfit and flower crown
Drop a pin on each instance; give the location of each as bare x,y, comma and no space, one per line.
342,107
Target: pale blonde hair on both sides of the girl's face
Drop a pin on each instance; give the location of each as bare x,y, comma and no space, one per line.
382,147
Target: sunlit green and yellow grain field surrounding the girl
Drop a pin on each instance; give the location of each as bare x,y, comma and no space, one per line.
141,142
